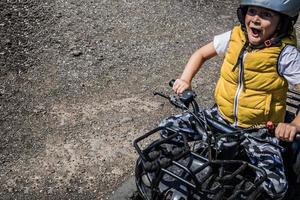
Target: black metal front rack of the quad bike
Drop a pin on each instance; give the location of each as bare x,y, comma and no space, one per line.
169,169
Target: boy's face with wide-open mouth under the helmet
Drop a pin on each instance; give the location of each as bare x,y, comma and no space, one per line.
261,24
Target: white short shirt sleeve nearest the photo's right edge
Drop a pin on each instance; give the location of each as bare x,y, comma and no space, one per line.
289,64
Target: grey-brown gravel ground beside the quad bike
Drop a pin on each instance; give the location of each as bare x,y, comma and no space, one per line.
77,79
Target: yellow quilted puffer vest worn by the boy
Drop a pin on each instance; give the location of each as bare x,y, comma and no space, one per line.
252,92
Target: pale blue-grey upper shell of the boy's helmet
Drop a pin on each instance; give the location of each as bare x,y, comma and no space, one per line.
290,8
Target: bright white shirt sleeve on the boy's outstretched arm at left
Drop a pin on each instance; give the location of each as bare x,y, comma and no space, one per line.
221,42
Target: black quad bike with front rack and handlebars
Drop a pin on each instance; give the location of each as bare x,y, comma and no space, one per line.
202,163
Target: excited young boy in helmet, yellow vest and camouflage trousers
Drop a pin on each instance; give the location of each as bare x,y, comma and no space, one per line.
260,61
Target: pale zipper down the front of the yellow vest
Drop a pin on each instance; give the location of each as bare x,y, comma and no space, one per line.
240,85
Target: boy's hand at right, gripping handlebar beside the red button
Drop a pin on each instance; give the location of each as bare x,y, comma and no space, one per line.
286,132
